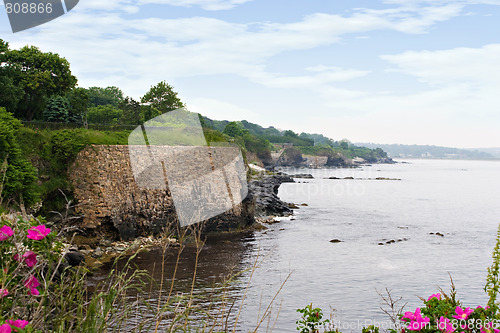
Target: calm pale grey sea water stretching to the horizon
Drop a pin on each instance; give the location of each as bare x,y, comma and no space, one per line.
459,199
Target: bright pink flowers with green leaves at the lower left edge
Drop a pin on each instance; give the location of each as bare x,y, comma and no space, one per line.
20,270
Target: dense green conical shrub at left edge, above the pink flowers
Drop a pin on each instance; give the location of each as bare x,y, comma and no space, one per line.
17,181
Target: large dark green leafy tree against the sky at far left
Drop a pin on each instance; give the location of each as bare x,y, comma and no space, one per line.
40,75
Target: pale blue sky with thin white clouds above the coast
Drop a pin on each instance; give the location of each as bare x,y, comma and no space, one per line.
381,71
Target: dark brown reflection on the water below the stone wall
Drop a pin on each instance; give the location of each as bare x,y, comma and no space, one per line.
217,289
